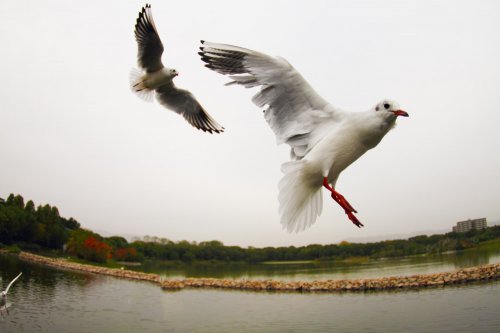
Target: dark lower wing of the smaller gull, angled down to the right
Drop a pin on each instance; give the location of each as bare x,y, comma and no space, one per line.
185,104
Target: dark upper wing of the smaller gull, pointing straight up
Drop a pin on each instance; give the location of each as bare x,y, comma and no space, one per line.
150,47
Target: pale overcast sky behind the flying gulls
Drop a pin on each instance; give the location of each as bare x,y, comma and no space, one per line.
73,135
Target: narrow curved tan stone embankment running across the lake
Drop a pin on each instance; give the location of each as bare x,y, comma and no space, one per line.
487,272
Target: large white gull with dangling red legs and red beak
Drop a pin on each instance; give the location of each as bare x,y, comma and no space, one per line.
324,139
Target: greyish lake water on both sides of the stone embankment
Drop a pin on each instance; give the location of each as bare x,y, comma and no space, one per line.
50,300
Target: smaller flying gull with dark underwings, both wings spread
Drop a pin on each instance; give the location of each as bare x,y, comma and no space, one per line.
155,79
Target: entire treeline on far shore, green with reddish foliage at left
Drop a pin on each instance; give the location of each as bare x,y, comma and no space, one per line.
22,223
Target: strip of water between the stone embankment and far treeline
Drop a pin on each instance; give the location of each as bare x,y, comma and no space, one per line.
330,270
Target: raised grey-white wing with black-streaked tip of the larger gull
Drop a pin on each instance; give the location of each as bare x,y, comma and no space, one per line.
293,110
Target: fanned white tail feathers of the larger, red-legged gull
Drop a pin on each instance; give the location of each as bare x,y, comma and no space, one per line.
300,200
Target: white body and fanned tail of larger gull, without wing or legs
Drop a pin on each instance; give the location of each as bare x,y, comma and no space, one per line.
300,194
